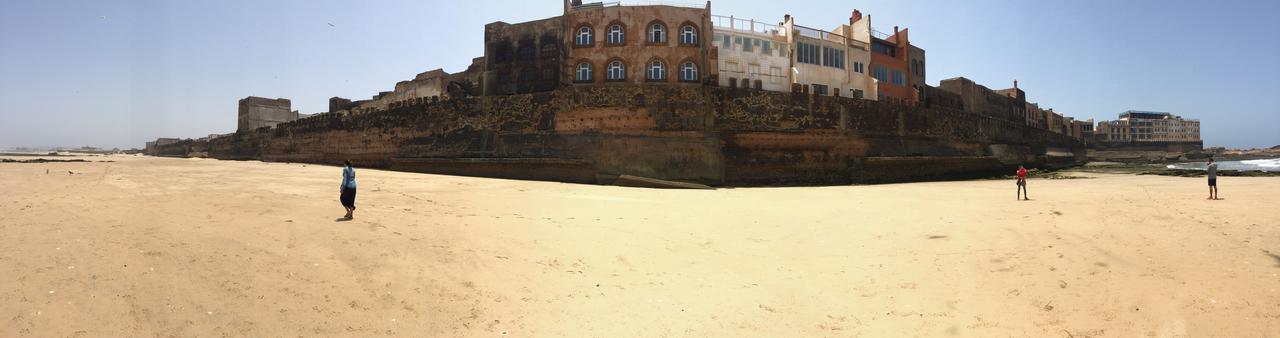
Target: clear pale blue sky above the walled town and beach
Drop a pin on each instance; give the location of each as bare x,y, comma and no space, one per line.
120,74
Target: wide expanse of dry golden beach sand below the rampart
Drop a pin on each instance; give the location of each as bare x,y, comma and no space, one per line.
148,246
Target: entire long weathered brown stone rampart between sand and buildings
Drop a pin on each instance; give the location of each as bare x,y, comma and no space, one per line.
706,135
